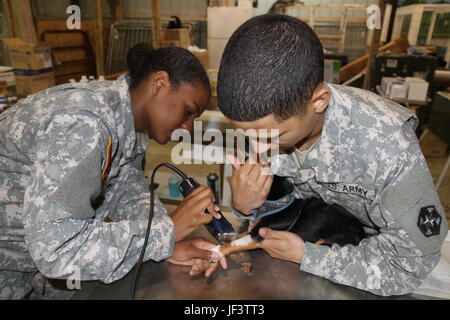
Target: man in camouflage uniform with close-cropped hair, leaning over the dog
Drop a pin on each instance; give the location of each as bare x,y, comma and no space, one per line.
344,145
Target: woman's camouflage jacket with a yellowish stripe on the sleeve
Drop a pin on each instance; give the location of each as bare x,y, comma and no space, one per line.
69,158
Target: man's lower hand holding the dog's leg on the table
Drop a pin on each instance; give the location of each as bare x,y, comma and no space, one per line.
282,245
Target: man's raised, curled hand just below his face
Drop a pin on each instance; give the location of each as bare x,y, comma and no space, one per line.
250,185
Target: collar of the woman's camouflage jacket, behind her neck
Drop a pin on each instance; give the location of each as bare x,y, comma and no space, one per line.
125,119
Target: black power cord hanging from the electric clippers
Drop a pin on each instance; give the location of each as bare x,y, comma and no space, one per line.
150,218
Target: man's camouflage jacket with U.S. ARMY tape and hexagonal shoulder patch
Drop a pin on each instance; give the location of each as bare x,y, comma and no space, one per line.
368,160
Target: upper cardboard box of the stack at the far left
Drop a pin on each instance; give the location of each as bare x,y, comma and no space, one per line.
27,56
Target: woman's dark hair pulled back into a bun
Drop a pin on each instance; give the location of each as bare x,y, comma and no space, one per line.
181,65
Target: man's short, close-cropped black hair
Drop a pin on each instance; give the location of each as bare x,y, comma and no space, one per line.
271,65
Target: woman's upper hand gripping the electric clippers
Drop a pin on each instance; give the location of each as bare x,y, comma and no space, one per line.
191,212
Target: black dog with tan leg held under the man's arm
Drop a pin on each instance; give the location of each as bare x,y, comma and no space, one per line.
311,219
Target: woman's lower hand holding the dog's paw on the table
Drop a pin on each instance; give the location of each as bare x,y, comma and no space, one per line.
195,252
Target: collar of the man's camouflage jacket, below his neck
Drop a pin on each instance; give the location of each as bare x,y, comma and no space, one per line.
322,160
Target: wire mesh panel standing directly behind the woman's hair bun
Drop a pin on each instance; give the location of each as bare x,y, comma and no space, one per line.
123,36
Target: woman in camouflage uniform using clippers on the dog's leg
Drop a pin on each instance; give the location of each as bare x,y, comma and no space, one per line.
74,201
